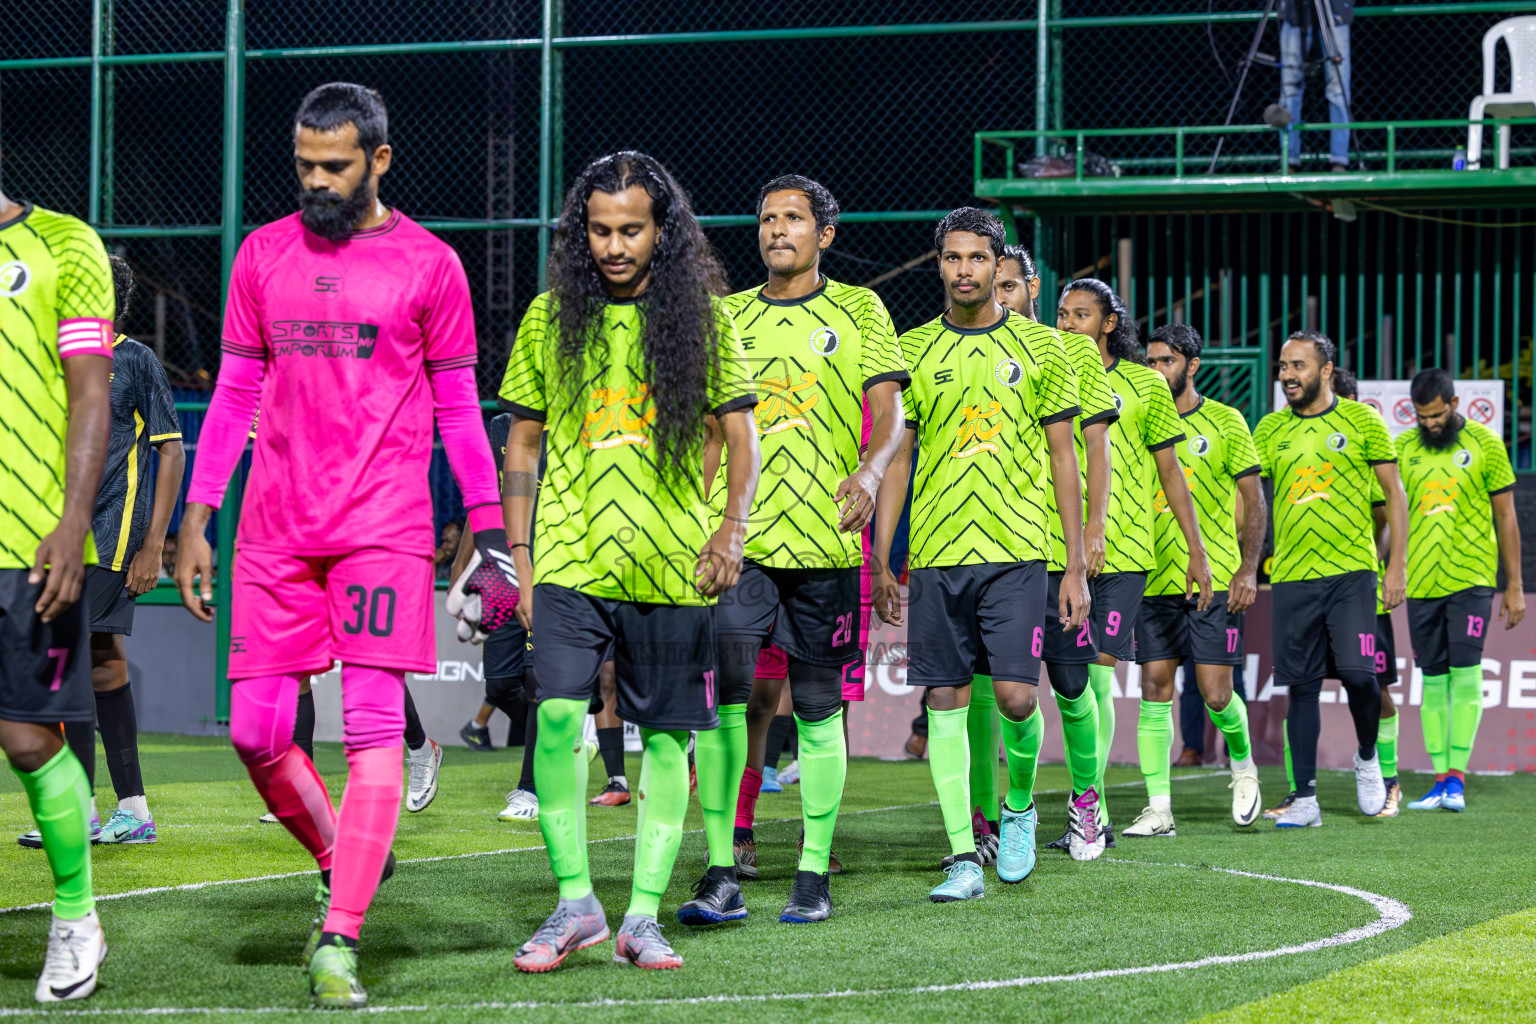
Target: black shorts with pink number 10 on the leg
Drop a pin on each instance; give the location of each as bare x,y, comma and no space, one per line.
1314,621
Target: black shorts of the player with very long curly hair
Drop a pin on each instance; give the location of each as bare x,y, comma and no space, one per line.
664,656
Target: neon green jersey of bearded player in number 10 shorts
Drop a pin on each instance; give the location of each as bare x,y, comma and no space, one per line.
1323,474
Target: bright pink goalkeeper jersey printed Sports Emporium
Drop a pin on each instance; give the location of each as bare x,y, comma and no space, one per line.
349,334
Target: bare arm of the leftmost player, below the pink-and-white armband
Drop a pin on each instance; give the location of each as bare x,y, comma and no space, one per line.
59,563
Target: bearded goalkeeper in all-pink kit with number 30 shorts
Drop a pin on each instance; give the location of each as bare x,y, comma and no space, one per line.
351,328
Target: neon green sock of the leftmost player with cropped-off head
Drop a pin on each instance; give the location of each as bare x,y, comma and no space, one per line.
61,804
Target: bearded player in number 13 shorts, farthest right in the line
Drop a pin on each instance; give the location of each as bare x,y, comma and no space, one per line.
1462,518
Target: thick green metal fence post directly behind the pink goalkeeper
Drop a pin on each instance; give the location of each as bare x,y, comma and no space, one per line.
230,243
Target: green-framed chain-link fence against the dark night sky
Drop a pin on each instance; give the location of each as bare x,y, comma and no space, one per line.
116,110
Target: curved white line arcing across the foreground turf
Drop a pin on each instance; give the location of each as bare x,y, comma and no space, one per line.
1391,914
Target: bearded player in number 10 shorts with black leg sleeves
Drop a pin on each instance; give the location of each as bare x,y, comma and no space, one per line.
1323,457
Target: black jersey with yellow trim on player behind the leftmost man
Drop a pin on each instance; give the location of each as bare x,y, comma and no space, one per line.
144,418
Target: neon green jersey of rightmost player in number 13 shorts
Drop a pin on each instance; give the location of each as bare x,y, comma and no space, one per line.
1452,544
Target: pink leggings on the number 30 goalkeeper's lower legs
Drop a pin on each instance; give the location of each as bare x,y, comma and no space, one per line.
354,845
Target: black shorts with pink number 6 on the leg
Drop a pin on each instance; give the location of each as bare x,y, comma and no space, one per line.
970,621
